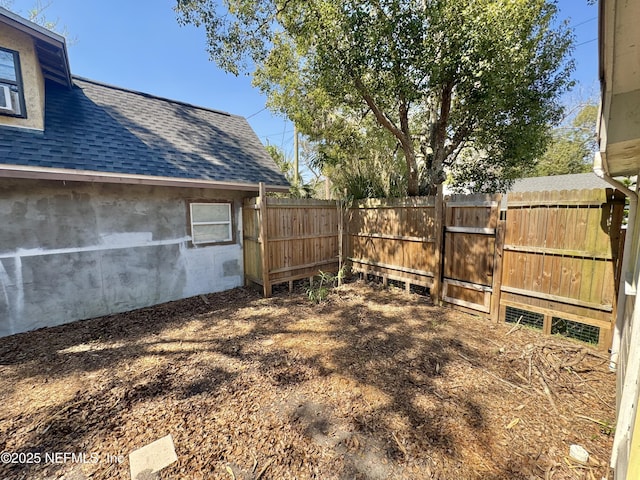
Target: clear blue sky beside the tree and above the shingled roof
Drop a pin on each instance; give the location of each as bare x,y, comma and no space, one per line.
138,44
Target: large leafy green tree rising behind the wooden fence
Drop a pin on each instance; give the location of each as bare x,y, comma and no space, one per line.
449,79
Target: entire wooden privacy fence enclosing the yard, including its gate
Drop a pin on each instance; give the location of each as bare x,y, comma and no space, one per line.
553,263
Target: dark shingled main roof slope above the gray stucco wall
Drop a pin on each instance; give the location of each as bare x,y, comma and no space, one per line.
102,128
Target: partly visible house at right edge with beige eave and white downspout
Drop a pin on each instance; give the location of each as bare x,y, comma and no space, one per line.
619,155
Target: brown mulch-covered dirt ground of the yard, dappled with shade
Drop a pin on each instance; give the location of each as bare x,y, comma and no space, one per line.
369,384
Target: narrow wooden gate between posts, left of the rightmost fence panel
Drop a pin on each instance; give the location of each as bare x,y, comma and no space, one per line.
470,228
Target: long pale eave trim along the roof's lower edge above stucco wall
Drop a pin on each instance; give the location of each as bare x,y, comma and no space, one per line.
63,174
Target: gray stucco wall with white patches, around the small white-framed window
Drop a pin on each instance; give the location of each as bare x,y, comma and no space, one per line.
72,250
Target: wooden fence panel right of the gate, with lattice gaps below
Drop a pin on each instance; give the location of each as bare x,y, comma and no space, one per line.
561,259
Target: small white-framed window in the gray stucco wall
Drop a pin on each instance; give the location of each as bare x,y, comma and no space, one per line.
211,223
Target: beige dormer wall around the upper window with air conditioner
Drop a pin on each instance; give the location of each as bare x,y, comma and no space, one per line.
32,78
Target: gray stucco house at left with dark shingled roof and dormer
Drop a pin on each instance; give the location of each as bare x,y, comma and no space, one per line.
112,199
